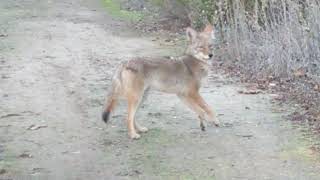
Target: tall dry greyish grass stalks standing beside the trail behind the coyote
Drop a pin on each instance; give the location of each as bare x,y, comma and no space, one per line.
268,37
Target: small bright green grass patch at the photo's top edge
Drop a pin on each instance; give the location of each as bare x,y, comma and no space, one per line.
114,9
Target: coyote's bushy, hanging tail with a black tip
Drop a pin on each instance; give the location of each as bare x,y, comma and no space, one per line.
113,95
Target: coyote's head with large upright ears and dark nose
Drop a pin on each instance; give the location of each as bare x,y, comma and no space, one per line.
200,43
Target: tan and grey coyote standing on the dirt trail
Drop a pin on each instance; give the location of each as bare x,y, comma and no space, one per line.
181,76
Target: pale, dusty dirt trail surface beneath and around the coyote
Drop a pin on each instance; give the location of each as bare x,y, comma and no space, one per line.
56,62
